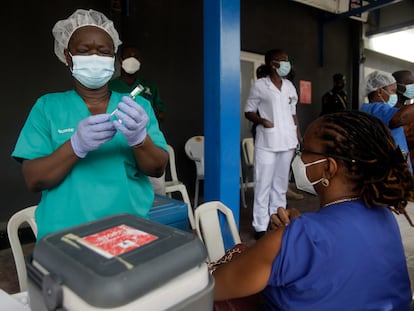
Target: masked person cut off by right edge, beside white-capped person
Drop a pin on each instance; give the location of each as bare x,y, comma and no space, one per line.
405,92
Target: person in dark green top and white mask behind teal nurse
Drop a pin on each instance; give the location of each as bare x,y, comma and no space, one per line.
130,58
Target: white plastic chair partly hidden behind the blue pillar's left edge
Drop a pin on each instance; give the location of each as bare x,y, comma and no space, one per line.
194,148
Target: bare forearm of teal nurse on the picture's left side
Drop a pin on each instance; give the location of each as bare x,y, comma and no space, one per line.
47,172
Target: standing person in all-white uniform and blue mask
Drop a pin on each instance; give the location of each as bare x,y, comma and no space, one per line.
272,105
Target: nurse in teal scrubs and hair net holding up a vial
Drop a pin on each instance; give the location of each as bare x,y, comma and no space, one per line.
87,163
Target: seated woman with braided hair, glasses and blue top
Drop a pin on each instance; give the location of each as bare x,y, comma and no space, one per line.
349,254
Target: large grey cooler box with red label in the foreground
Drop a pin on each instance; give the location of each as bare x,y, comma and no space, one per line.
123,263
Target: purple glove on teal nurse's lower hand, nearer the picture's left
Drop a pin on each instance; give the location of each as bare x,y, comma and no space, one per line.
92,132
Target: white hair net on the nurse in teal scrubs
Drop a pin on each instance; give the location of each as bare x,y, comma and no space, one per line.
63,29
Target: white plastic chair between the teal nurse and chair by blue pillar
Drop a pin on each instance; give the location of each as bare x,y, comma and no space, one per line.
174,185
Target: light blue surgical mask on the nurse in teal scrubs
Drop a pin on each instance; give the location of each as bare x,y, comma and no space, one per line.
93,71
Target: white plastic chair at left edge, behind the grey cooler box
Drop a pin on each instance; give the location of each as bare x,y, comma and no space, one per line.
13,225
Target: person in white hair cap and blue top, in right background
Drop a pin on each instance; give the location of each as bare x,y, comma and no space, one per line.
381,89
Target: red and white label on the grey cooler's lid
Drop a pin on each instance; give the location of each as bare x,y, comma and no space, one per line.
117,240
